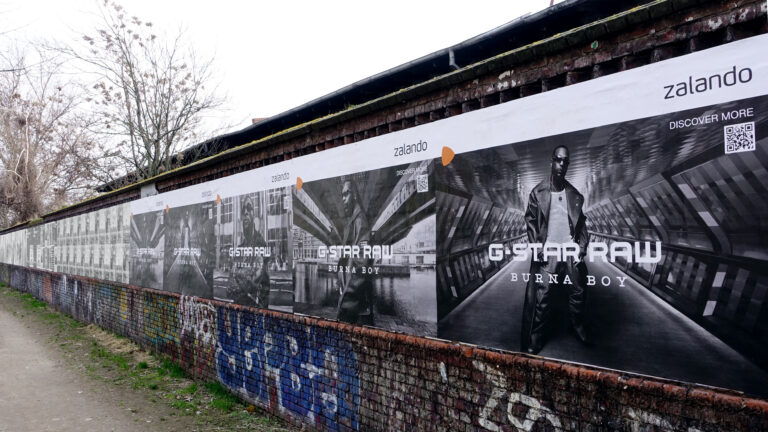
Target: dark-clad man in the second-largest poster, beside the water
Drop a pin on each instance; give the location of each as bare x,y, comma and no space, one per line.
356,301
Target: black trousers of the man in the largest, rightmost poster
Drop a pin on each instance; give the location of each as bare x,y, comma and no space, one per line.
576,272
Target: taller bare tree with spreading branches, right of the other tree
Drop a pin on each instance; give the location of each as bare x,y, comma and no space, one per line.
151,94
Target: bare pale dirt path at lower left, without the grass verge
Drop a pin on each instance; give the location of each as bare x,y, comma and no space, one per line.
39,393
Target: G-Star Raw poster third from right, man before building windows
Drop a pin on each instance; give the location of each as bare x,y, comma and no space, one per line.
254,260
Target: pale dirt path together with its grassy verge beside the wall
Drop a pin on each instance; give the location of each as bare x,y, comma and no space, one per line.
57,374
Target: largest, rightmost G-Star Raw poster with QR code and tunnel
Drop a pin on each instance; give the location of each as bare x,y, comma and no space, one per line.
575,246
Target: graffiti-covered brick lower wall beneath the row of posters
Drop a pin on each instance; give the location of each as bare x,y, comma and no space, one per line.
332,376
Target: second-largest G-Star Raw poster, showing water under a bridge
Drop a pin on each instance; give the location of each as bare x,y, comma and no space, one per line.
364,248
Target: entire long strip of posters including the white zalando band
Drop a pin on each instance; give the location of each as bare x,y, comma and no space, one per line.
632,239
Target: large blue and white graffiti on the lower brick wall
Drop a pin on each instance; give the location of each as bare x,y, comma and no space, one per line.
306,371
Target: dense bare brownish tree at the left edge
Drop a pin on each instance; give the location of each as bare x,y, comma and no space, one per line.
46,153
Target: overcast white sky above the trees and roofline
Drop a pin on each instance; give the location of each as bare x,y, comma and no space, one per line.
272,56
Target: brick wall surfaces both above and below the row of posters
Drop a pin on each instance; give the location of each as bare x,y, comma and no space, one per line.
333,376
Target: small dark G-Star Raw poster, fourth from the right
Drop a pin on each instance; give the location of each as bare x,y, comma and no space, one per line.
190,249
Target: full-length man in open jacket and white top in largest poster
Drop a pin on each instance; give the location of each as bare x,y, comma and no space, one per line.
554,215
